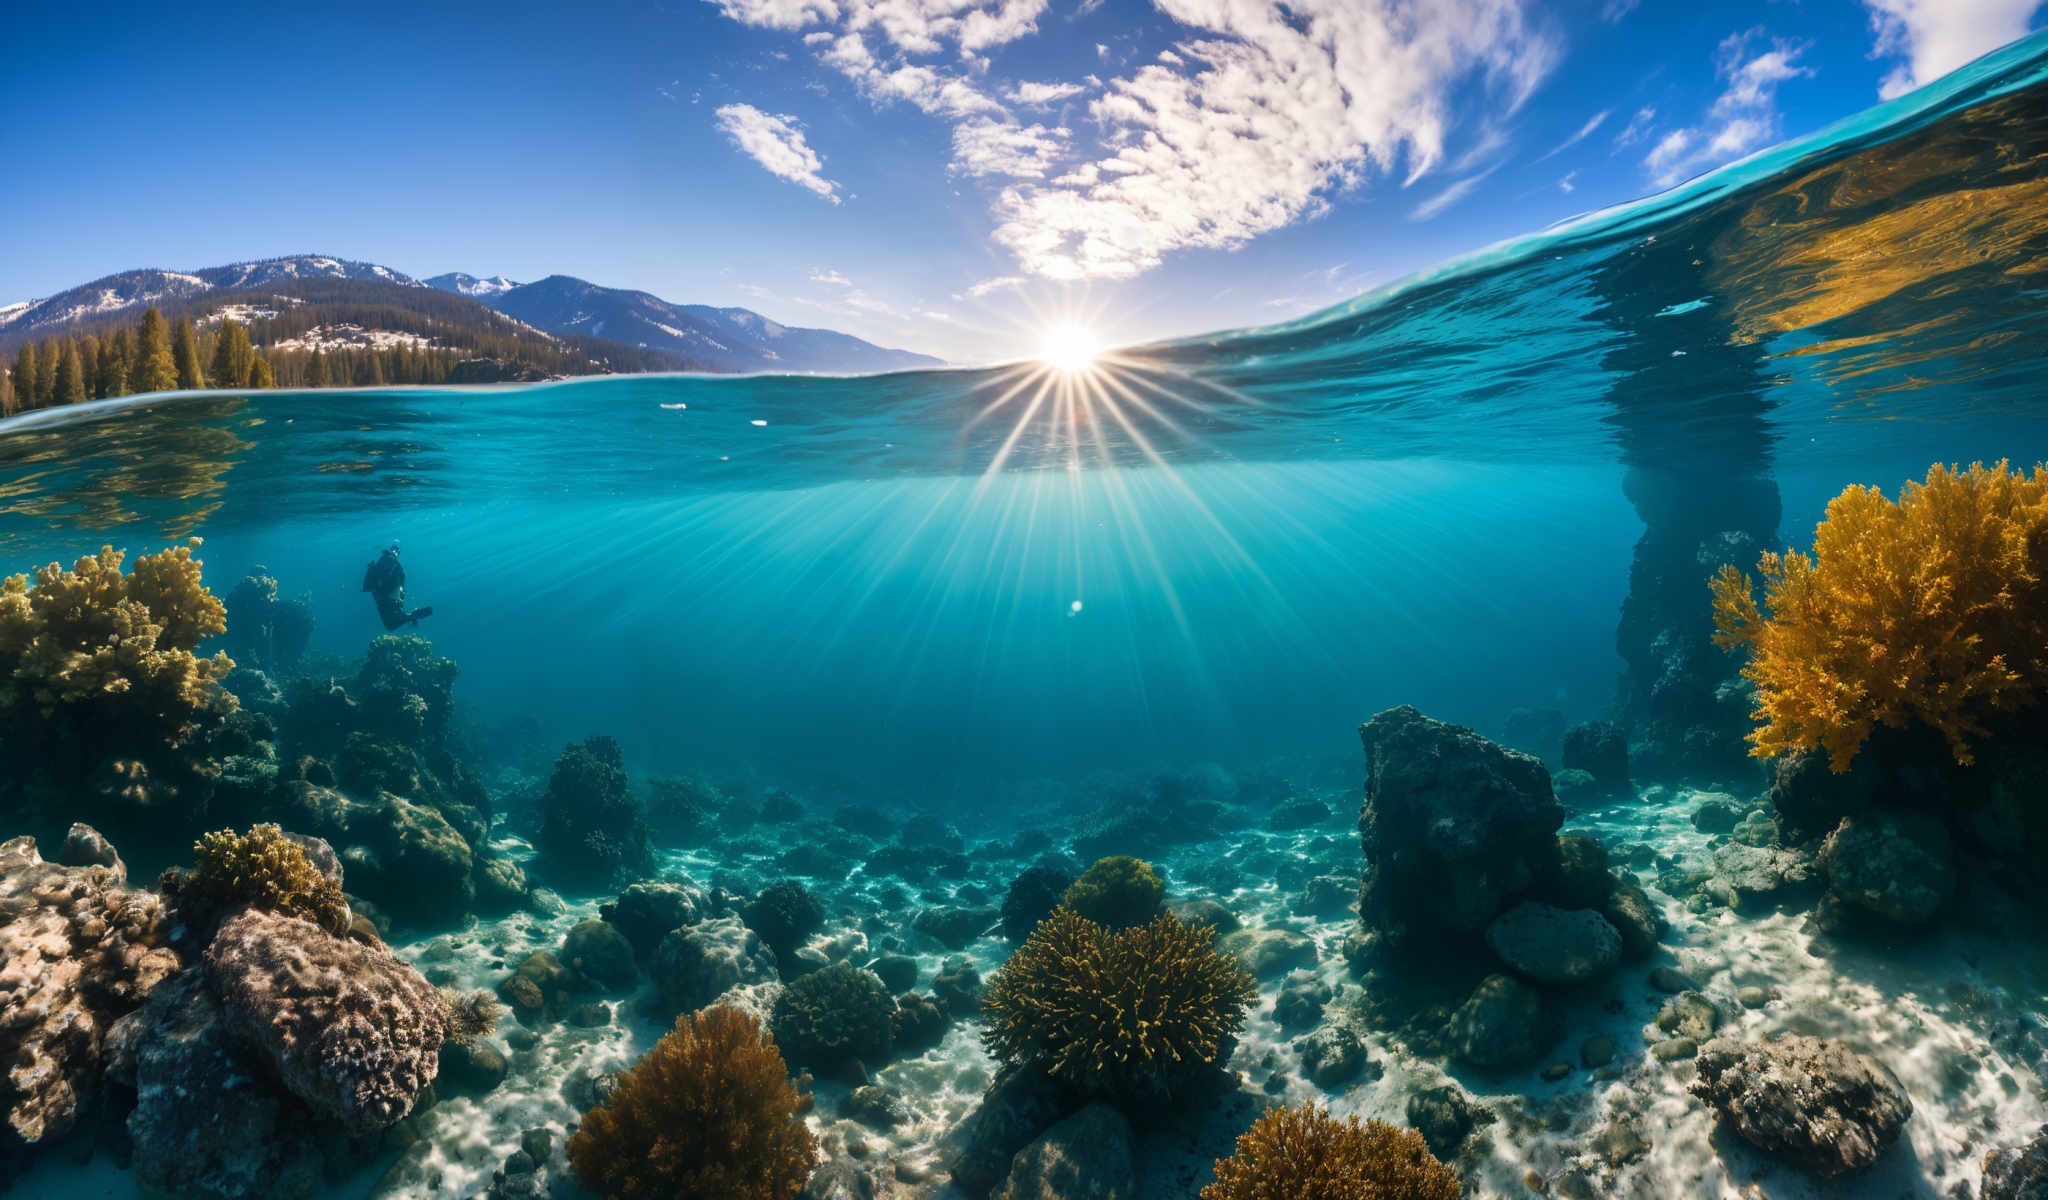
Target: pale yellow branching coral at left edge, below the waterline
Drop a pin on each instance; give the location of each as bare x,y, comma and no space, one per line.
110,650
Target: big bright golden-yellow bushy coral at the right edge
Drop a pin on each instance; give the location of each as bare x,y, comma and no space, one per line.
1928,611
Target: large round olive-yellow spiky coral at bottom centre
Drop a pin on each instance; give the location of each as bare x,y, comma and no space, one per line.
1136,1013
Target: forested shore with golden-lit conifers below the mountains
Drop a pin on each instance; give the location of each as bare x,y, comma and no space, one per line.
159,355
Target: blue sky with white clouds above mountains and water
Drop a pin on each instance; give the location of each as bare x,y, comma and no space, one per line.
955,177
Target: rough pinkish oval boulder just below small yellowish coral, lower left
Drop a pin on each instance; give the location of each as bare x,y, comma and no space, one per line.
349,1029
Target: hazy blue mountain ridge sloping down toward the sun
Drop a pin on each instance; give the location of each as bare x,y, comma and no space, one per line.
720,339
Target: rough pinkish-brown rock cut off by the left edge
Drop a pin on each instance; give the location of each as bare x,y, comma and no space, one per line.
81,951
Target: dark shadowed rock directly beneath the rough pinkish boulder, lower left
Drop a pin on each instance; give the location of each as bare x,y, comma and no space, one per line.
243,1142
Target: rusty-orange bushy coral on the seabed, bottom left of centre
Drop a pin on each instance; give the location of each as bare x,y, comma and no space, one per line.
708,1113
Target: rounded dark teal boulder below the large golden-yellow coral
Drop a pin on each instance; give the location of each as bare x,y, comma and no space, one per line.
1891,863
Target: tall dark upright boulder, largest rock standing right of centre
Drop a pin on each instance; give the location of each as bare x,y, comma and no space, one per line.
1455,828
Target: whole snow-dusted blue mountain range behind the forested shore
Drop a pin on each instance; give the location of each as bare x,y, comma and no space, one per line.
615,327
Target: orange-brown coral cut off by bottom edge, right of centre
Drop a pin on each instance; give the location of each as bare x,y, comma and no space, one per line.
1304,1154
